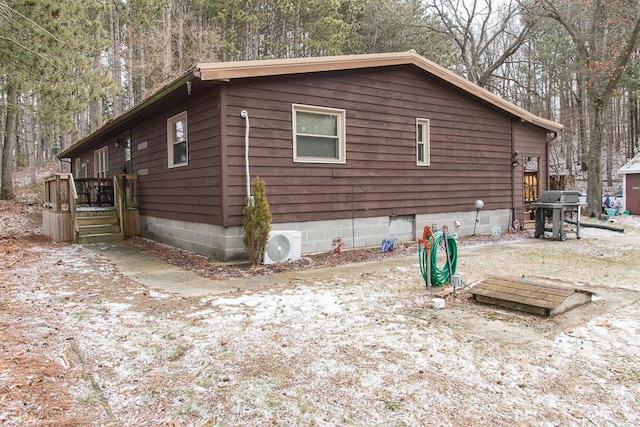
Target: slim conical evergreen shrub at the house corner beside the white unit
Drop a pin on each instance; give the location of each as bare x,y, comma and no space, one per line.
256,222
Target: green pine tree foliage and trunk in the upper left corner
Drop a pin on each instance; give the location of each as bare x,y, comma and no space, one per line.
42,46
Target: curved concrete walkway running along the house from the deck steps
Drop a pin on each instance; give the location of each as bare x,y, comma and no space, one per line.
151,271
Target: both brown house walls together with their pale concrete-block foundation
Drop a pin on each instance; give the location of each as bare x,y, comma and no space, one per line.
378,193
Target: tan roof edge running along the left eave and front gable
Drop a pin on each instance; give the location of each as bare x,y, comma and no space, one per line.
226,71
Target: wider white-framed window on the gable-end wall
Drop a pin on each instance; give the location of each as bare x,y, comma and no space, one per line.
318,134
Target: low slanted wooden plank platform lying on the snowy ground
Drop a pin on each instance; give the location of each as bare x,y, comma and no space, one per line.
529,296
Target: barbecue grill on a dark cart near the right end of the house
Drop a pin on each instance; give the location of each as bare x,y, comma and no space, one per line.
552,208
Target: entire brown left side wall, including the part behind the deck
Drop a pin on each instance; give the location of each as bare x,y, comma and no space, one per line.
189,194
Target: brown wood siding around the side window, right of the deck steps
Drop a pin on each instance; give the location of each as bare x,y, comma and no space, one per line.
188,193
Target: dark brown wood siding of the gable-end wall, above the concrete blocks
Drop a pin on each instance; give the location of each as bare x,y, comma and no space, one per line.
471,146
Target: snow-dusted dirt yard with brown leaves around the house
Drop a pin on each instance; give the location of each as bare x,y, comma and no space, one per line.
83,345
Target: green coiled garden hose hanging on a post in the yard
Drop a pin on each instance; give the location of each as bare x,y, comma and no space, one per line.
439,276
